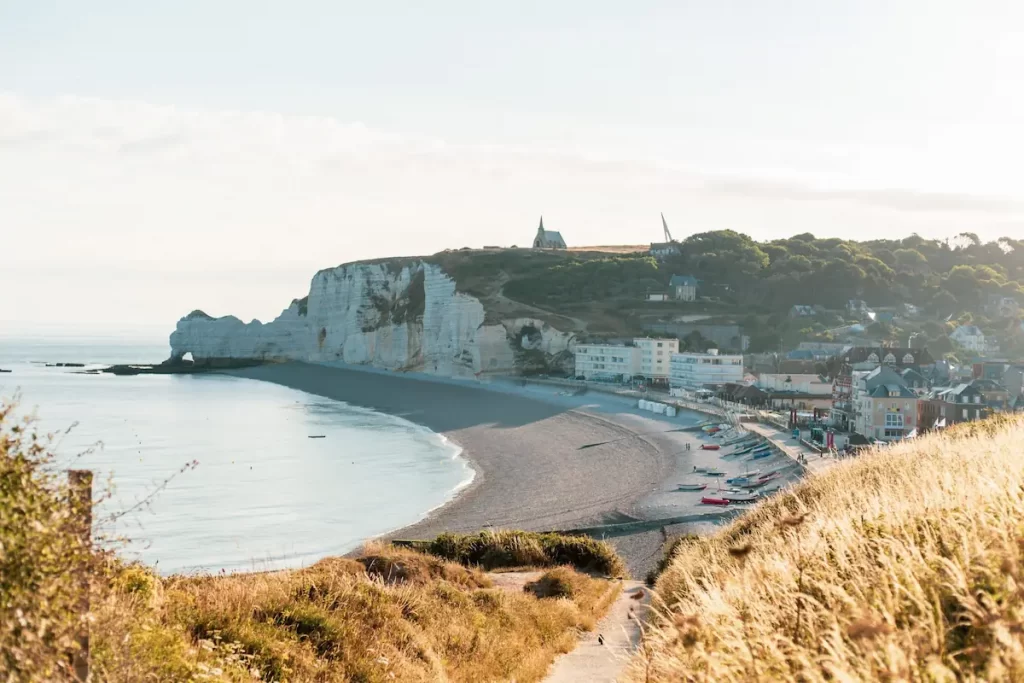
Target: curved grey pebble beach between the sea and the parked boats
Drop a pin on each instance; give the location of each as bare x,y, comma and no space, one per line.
525,445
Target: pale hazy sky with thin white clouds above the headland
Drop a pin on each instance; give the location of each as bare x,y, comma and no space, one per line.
161,157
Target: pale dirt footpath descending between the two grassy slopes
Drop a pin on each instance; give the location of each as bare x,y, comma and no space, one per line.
592,662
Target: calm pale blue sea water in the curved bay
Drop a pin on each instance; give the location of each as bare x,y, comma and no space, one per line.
264,495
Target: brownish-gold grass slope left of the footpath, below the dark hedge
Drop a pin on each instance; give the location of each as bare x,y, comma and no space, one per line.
392,616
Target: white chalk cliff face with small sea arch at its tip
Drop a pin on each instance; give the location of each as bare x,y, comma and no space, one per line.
407,318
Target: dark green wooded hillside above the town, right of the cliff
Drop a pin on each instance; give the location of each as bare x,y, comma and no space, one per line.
601,294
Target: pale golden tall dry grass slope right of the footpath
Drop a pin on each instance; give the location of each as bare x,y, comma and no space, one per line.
905,565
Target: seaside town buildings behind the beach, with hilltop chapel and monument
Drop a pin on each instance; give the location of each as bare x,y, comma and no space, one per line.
852,385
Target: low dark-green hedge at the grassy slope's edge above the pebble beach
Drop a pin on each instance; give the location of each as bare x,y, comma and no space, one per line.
498,550
